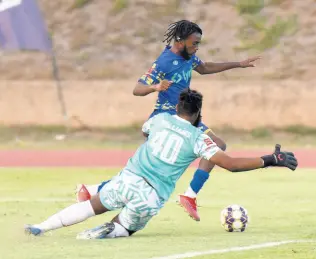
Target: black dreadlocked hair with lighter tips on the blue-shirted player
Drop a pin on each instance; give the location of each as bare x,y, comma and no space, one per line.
180,30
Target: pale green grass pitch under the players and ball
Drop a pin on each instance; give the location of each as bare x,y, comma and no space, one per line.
281,205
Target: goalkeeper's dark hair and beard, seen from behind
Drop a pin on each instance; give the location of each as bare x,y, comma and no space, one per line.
190,103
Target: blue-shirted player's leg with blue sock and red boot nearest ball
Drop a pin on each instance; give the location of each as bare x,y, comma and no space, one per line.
201,175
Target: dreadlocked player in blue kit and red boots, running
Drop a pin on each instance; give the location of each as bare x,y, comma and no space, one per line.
169,75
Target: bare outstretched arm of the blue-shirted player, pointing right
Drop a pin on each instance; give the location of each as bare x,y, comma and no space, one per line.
212,68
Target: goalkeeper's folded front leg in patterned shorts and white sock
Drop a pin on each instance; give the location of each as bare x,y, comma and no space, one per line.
143,205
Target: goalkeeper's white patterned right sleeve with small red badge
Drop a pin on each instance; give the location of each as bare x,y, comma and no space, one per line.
205,147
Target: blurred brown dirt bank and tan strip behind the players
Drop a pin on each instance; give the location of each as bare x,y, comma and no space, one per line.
101,48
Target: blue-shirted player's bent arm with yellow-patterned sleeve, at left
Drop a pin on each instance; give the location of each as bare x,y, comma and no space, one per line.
153,80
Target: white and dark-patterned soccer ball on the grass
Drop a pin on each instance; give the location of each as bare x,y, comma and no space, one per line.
234,218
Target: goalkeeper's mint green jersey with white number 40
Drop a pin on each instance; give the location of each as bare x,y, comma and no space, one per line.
173,144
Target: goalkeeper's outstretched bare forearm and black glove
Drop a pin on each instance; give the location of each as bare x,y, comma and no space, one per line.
278,158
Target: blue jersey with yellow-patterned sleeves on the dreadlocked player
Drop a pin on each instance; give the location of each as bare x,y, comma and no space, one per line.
172,67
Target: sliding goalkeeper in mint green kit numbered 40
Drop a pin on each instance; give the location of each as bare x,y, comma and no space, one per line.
144,185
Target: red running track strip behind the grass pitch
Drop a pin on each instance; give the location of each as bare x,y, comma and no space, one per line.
110,158
